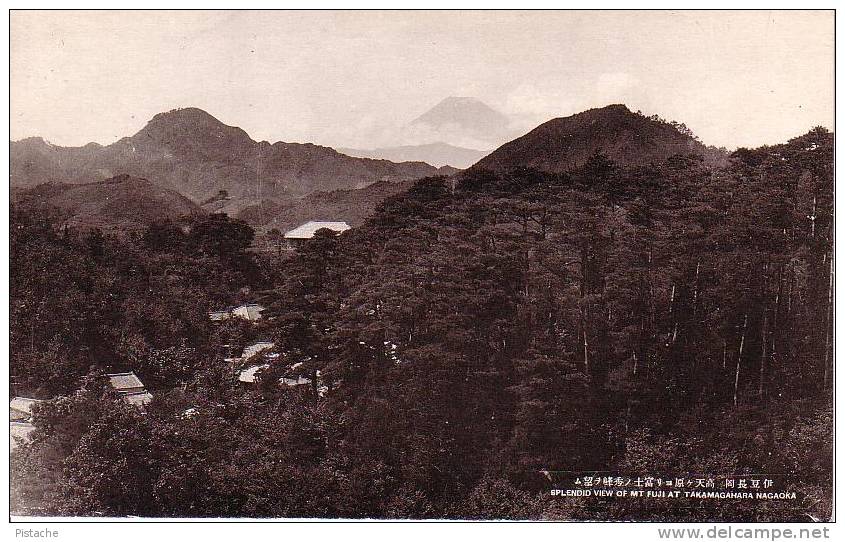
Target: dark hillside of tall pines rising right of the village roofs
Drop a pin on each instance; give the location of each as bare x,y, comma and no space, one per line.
505,323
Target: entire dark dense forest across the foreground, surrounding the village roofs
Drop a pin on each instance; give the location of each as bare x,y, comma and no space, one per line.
478,332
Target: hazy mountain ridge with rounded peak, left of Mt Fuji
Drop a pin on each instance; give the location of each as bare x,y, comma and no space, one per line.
193,153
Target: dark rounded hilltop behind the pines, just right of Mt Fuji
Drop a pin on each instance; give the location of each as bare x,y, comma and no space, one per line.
629,139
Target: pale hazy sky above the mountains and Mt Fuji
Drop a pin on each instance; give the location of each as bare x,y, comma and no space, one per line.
351,78
